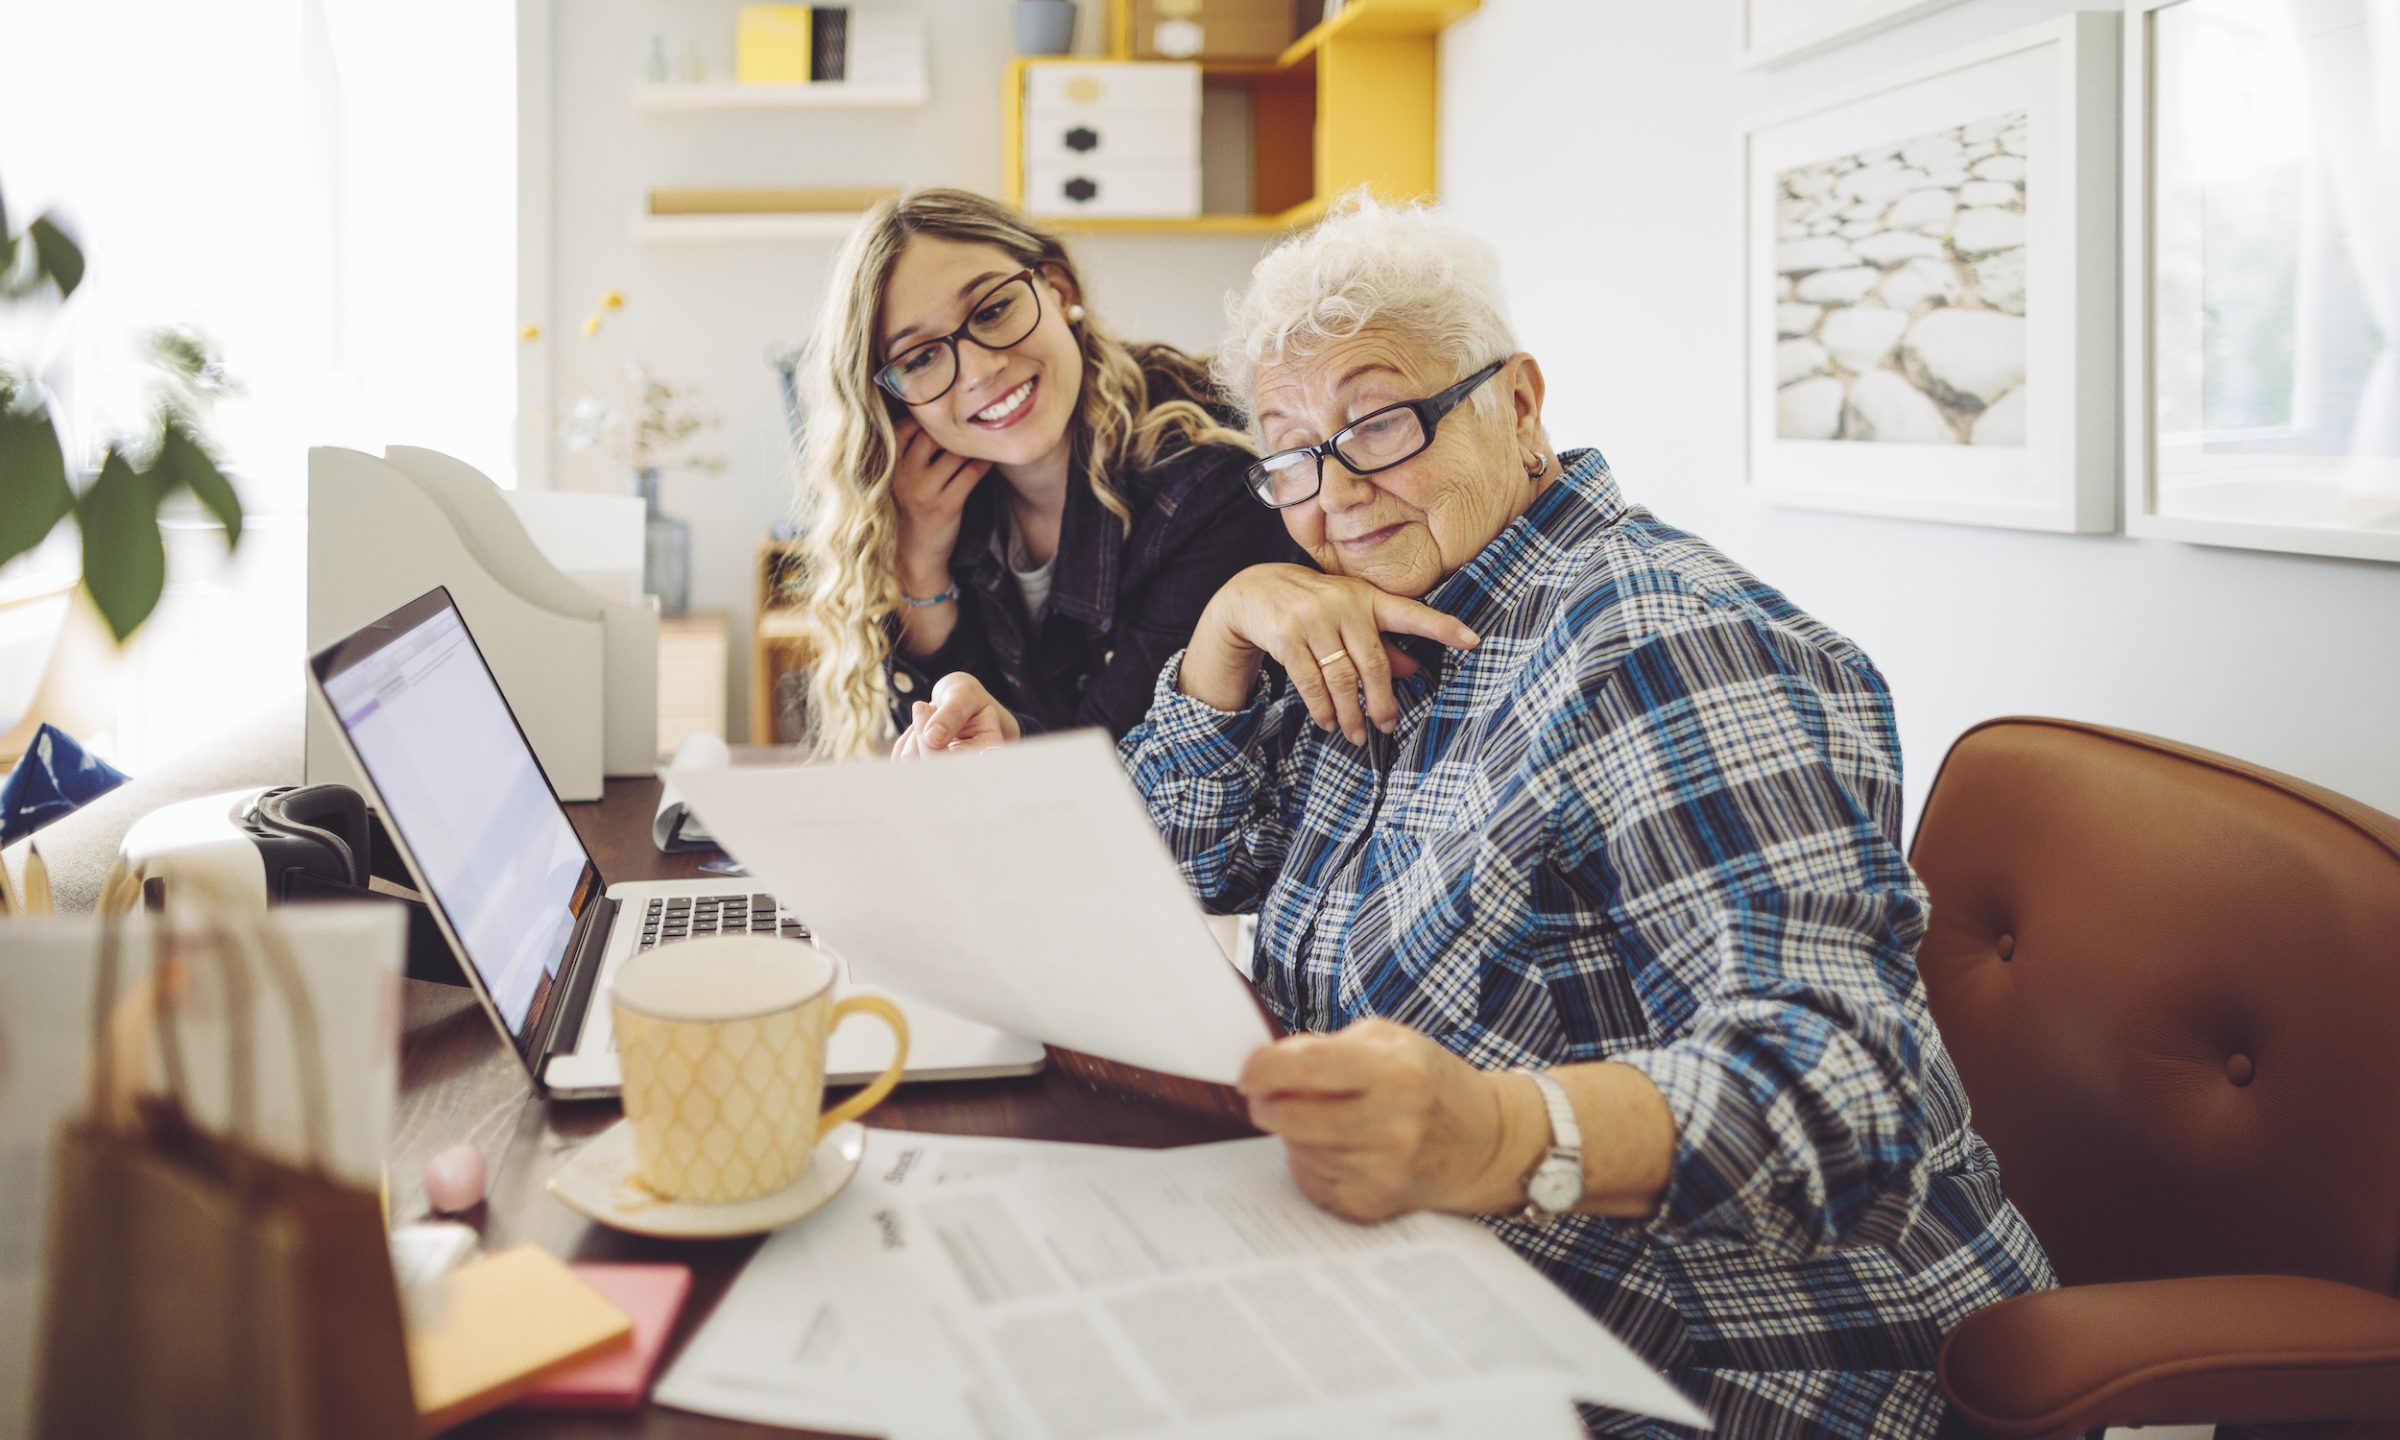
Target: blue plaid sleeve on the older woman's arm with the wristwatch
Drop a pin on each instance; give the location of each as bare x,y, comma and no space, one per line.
1734,812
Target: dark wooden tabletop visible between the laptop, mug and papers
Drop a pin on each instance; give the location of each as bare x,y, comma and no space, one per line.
462,1084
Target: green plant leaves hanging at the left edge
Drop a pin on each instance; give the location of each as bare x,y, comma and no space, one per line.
116,508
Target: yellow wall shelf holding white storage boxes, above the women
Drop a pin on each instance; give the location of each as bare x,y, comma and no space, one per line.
1348,104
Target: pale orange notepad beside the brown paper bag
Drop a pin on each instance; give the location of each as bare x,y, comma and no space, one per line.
503,1326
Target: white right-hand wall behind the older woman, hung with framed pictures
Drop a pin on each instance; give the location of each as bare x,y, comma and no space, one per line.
1597,148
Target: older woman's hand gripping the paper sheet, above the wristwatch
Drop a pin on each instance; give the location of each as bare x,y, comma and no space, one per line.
1379,1120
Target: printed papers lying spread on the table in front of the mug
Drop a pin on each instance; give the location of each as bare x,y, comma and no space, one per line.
1024,1290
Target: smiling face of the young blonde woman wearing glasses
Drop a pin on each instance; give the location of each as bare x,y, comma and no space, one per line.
1009,407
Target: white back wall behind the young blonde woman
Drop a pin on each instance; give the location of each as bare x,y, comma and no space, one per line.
707,313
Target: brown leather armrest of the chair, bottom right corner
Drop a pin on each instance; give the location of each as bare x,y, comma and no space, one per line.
2224,1348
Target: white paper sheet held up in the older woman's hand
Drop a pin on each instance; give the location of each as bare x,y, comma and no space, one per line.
1019,887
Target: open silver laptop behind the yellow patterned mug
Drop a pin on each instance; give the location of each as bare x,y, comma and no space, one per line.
534,923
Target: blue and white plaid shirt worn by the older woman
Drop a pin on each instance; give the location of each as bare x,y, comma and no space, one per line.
1650,820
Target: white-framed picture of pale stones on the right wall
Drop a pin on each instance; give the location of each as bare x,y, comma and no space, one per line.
1931,289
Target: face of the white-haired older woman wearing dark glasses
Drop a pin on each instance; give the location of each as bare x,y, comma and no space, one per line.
1412,527
